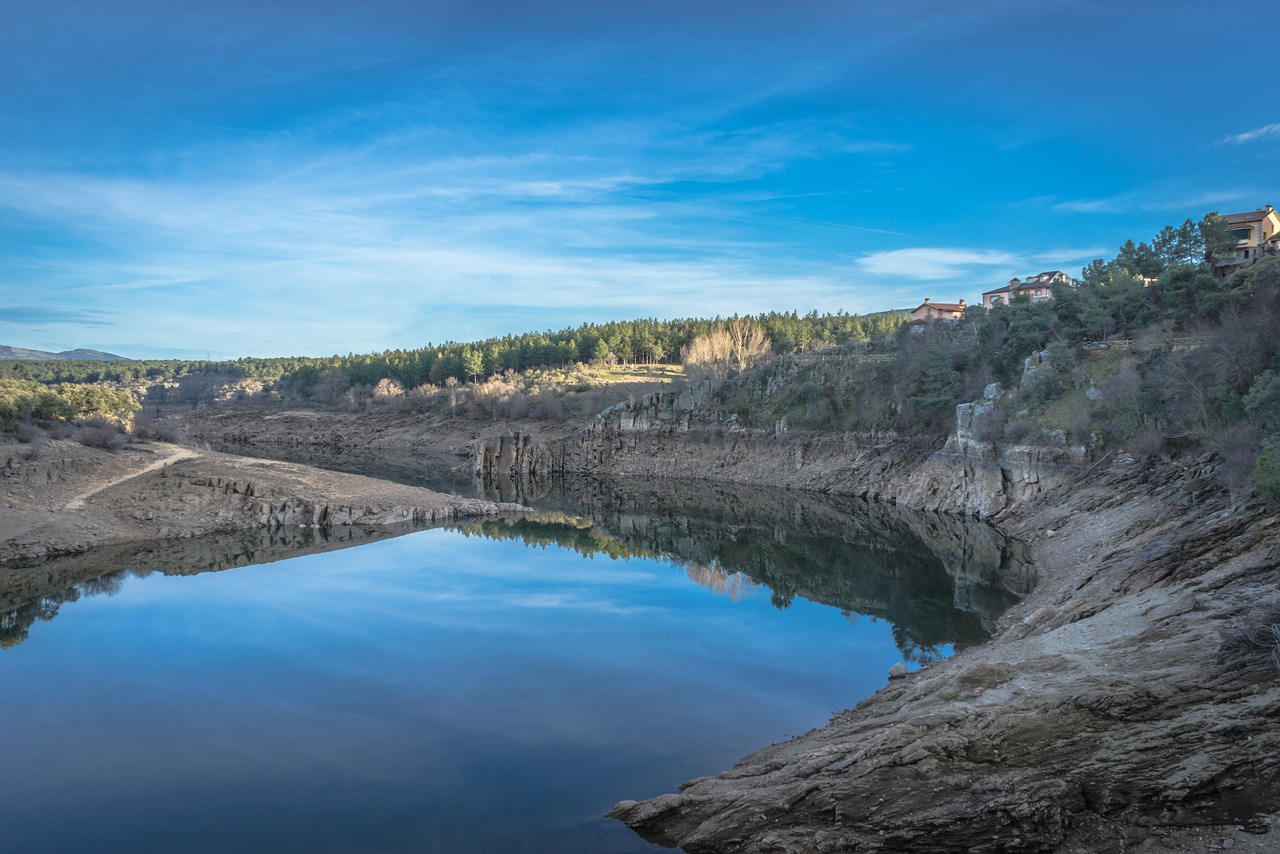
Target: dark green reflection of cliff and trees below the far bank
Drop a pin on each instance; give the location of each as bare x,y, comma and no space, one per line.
939,581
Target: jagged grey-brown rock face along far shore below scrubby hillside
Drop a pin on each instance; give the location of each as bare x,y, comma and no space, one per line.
666,436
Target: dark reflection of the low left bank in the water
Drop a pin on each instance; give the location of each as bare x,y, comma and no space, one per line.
35,592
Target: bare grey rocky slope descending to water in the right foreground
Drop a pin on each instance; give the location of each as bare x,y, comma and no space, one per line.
1121,707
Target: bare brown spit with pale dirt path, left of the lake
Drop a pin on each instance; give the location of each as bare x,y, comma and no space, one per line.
68,499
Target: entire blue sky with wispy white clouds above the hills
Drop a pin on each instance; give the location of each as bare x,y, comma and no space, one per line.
305,179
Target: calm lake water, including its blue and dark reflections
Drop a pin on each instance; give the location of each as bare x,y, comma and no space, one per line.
490,688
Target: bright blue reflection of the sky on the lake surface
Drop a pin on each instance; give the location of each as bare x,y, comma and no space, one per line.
431,693
